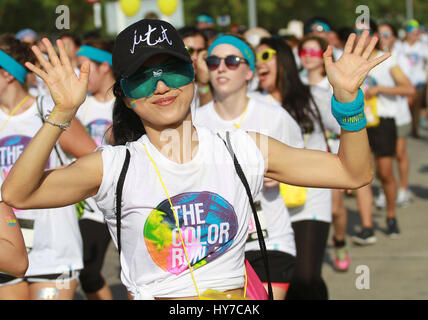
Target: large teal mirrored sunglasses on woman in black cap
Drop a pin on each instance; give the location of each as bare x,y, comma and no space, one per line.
143,84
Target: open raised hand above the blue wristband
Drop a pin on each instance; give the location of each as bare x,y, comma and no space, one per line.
348,73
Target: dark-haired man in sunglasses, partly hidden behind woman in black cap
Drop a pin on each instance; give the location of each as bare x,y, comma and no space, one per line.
196,44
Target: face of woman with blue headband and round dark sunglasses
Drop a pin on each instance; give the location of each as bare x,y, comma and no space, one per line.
224,80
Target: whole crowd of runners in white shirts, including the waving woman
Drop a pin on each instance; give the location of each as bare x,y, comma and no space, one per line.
81,116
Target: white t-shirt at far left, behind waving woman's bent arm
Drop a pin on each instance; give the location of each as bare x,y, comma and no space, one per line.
52,236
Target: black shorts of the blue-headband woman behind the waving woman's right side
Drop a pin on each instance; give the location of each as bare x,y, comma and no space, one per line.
281,265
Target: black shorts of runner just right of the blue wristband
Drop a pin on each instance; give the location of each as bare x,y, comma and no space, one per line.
383,138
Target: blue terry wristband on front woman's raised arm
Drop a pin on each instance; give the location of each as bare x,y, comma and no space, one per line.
350,116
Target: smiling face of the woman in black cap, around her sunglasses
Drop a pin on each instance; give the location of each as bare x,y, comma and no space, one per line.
166,107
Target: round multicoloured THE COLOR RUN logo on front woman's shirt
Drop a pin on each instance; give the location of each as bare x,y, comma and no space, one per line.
208,225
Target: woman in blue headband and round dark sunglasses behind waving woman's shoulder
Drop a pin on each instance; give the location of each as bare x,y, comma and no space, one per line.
233,109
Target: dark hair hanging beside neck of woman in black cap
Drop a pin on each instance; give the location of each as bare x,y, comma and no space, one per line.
127,125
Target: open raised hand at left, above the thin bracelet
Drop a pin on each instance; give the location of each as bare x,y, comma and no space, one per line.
67,90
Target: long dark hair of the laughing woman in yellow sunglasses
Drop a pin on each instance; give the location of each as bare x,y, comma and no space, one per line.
296,96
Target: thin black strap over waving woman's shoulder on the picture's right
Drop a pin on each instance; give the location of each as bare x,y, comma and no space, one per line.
260,237
